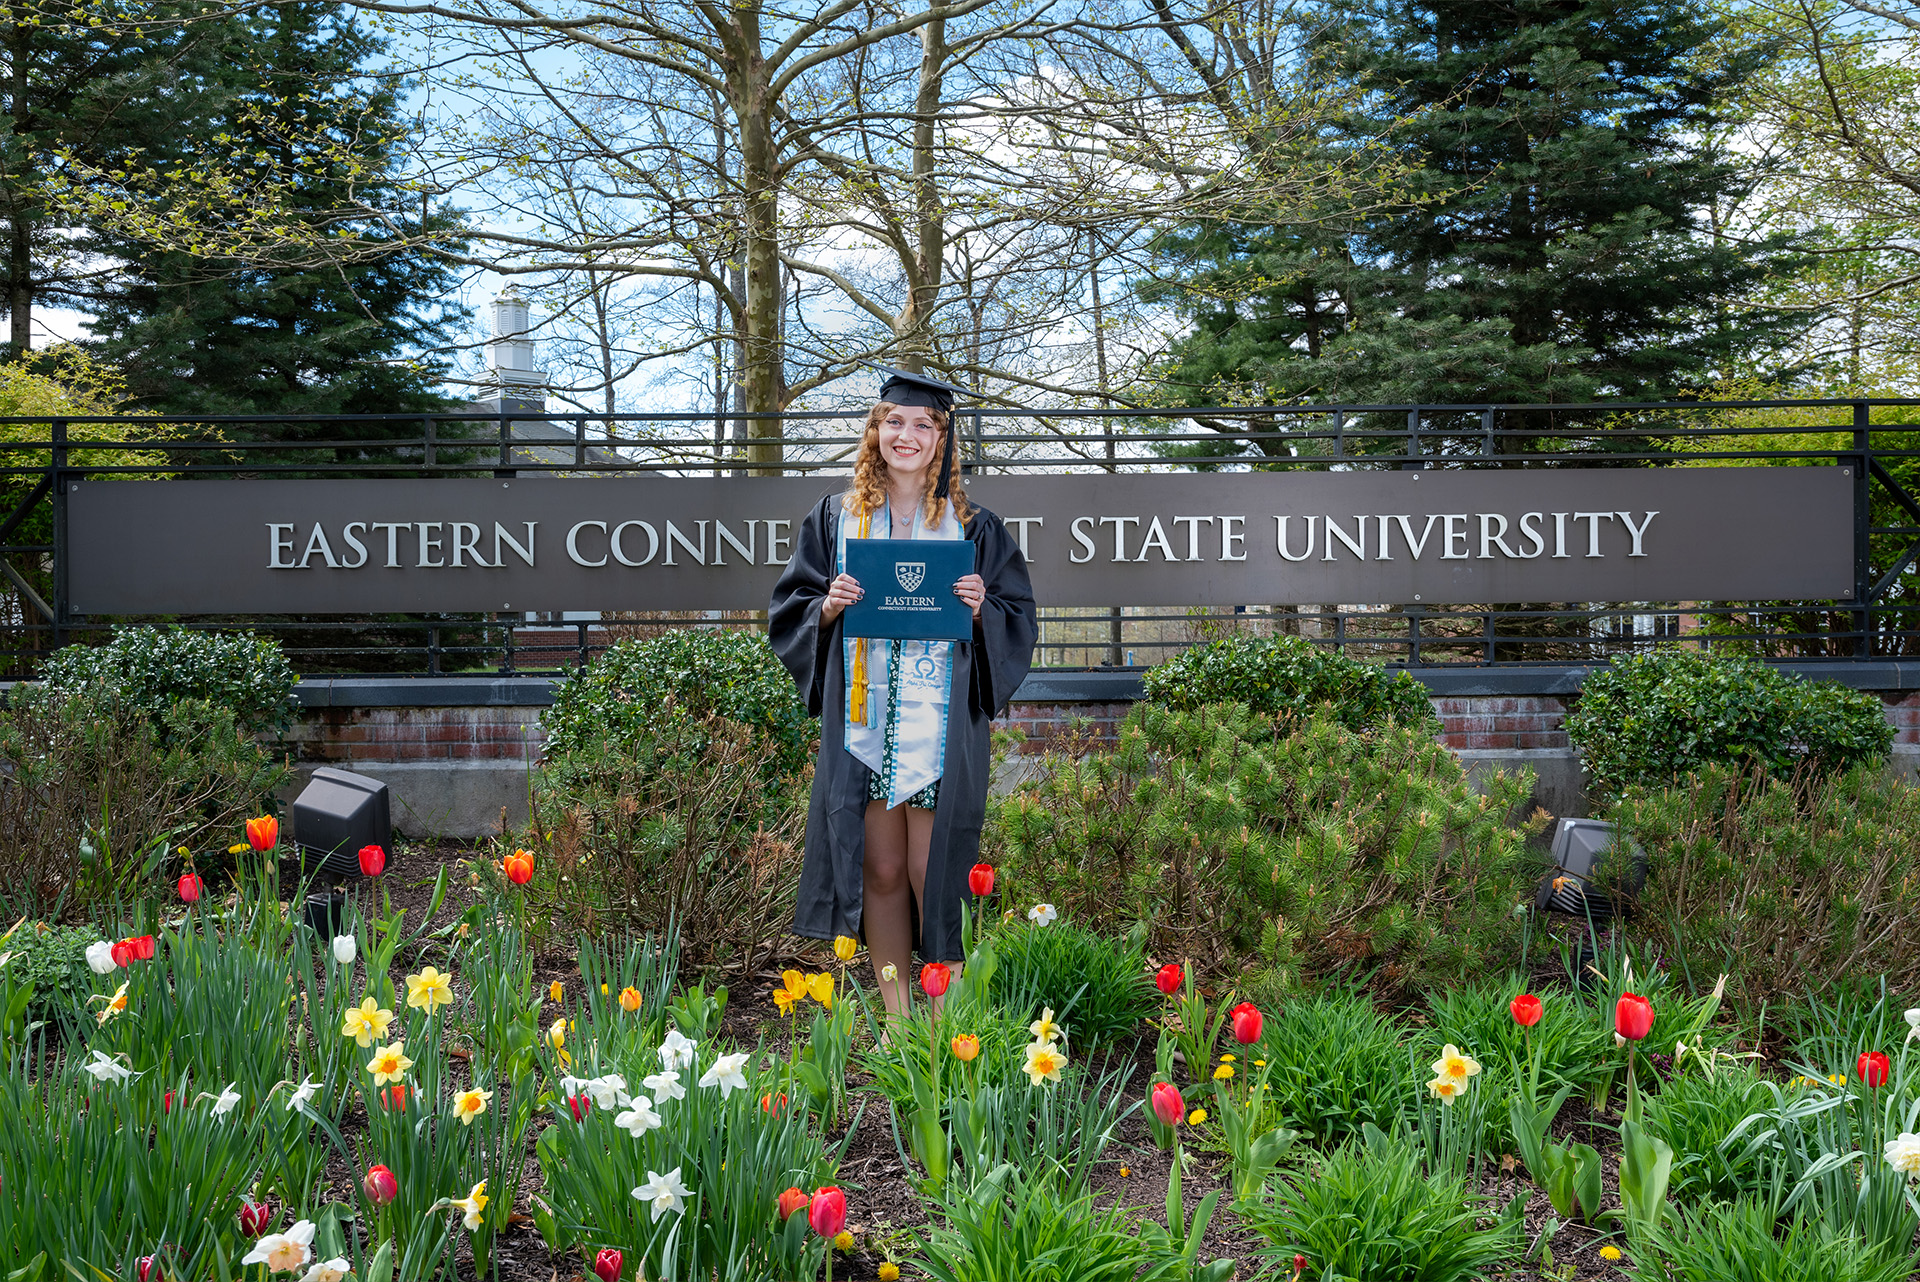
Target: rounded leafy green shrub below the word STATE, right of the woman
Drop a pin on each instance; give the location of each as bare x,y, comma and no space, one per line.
1289,677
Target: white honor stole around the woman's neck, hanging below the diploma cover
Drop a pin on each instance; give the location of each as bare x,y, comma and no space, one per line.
919,707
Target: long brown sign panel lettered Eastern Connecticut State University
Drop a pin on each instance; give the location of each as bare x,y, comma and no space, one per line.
696,544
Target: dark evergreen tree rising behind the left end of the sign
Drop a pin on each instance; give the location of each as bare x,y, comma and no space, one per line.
224,337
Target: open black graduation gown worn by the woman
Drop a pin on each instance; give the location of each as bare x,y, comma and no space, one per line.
988,671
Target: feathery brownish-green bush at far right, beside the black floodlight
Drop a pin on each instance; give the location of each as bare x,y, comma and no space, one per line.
1787,890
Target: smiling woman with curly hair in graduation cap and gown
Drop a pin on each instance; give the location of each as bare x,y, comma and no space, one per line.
905,759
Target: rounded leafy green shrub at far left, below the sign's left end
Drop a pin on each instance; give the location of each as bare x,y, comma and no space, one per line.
147,671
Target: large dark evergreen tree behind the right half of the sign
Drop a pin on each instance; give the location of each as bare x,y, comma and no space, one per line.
1556,249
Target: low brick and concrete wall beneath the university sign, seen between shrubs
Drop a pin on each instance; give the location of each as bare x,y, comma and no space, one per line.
458,769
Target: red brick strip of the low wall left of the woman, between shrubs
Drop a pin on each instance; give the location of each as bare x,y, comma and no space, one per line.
348,736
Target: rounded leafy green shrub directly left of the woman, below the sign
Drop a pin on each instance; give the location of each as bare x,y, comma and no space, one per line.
621,698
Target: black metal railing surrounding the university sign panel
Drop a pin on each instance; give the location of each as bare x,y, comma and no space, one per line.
1877,439
